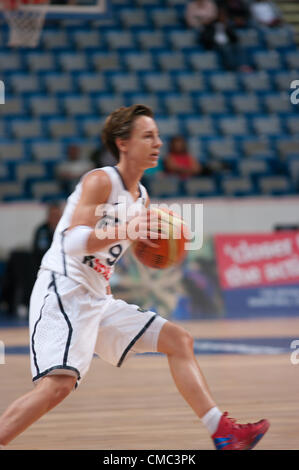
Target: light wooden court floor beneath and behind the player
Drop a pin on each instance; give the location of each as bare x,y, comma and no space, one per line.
138,406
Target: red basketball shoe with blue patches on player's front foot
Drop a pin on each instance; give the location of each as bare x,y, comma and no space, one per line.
233,436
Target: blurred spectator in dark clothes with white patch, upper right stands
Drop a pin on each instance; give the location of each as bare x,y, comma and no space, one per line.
222,37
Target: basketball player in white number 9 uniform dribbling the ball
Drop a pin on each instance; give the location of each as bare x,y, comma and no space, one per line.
73,314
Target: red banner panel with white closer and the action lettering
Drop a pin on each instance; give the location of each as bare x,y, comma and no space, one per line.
253,260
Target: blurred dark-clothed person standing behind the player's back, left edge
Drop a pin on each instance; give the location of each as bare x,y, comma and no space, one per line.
22,267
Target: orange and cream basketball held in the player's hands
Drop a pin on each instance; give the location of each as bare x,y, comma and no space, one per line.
169,251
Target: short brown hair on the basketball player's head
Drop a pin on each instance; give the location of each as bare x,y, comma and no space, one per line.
120,124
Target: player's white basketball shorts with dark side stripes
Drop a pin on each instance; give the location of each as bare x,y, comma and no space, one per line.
68,324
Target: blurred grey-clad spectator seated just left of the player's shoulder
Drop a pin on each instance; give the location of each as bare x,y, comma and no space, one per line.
70,171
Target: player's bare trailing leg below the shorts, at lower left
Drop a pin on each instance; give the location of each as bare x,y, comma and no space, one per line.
27,409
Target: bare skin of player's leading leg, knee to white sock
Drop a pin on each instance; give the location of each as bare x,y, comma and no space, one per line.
177,344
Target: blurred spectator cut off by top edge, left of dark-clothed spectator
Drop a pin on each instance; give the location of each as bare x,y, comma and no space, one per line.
200,12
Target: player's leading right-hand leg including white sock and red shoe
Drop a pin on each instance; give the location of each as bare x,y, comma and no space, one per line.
225,432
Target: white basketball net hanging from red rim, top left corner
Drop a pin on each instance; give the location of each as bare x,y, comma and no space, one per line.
25,19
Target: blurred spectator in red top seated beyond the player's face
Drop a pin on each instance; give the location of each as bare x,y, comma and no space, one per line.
178,161
